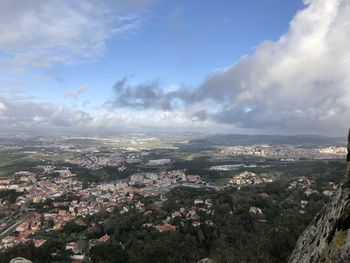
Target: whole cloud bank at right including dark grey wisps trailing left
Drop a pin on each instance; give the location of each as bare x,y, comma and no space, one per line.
300,82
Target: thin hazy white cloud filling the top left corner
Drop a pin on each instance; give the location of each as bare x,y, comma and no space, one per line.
42,33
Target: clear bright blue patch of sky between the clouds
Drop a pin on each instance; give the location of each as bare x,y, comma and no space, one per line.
178,43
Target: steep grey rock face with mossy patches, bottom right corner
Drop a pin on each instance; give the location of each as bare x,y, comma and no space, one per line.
327,238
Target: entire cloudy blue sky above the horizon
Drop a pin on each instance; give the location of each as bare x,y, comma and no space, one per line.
223,66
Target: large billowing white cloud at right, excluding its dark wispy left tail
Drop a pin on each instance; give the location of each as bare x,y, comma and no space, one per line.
299,82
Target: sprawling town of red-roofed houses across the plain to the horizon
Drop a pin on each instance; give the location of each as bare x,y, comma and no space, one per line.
86,182
